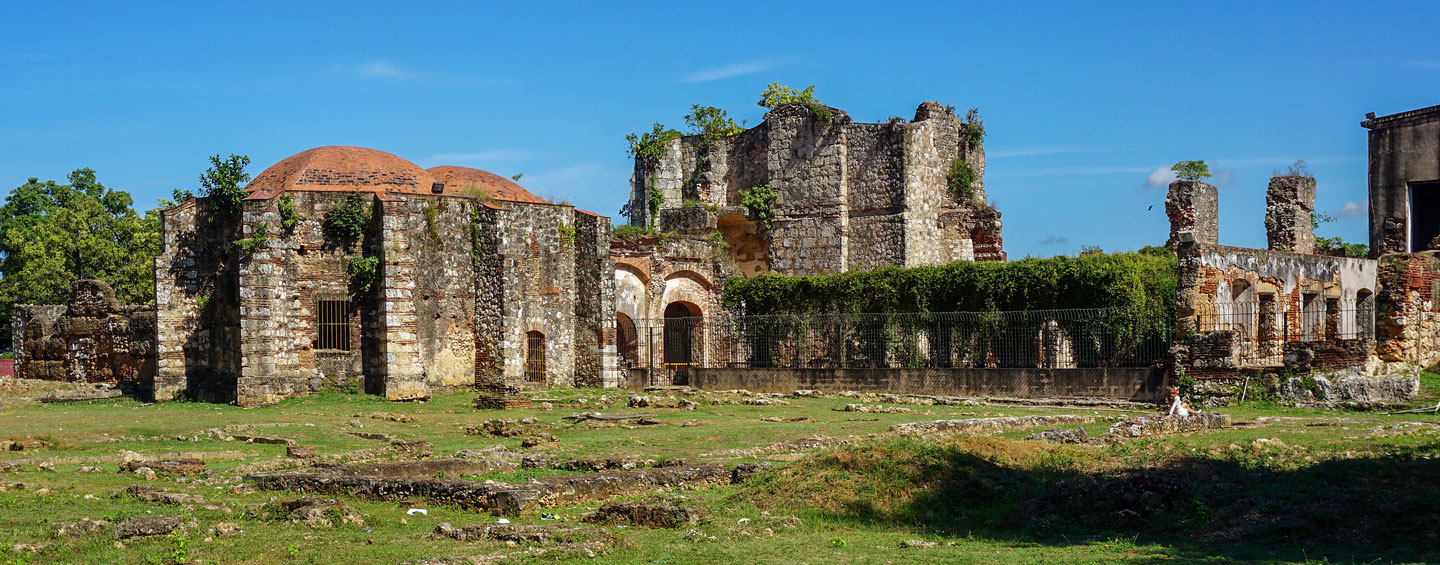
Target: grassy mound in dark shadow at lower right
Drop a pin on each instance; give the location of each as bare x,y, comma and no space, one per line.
1356,510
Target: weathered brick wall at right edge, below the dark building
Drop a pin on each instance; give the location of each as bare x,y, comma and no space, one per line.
1408,311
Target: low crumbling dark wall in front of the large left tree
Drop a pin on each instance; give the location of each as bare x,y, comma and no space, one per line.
94,338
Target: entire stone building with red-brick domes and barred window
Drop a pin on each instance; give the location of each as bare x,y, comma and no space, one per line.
459,279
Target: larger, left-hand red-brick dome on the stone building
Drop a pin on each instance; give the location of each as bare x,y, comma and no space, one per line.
342,168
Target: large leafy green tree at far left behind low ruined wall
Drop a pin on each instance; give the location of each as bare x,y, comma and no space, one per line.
54,234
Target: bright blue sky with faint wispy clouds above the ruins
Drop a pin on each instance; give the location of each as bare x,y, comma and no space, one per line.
1084,103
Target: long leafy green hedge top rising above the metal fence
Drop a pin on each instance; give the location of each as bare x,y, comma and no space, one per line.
1140,282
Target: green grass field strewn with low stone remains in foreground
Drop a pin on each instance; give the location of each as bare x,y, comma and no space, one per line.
1281,485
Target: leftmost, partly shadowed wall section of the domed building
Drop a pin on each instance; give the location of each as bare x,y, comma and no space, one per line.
198,315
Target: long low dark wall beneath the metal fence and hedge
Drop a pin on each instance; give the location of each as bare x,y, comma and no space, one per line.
1138,384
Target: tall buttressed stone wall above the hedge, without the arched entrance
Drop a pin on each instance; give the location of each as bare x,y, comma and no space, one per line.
850,197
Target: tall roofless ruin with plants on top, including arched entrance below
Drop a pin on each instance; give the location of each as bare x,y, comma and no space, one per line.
849,197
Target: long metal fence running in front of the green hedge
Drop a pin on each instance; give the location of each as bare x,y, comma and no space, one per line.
1094,338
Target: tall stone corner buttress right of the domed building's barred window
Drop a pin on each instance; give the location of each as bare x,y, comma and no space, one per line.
404,374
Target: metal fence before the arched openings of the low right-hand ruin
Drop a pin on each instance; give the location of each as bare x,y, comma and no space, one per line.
1261,329
